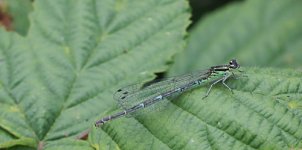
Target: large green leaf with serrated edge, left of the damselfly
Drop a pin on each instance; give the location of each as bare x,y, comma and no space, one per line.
59,79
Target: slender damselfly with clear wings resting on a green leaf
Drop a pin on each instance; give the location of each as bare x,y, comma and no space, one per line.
136,97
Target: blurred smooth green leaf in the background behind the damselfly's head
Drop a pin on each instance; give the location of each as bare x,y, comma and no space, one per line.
256,32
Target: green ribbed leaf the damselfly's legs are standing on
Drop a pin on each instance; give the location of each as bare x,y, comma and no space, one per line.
263,113
